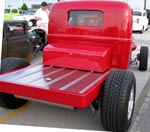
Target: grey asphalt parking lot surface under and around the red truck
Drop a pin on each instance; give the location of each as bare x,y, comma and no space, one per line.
51,115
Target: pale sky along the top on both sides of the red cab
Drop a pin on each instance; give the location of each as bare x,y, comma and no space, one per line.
135,4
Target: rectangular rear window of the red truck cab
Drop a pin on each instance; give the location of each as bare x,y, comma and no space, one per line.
85,18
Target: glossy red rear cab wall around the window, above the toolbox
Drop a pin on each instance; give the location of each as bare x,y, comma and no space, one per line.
116,35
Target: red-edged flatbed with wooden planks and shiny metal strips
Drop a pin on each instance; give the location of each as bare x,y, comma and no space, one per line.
71,87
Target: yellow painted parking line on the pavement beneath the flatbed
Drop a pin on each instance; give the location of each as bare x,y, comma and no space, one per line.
14,113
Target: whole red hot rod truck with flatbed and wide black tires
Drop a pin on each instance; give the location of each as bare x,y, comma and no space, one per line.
85,63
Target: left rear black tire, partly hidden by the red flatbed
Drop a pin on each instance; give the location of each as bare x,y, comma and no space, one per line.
9,101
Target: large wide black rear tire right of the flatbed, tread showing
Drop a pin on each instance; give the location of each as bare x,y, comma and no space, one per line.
115,101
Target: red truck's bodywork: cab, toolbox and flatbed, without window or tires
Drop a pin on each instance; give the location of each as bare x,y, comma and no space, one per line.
96,48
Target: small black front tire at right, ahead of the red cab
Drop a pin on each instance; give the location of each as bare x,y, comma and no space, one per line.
143,58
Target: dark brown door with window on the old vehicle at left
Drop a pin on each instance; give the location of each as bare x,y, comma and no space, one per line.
18,45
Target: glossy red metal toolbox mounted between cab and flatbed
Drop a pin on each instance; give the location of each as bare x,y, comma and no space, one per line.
95,59
